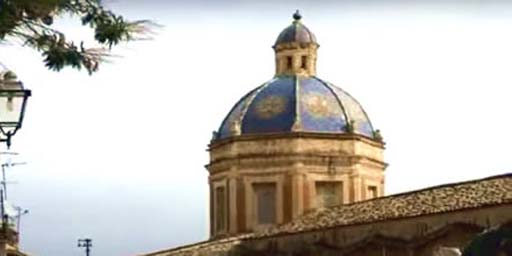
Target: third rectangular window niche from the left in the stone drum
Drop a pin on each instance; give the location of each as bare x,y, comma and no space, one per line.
328,193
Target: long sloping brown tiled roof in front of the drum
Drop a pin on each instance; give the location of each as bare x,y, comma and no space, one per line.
491,191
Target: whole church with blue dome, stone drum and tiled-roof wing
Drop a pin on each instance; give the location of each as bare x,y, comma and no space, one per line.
297,168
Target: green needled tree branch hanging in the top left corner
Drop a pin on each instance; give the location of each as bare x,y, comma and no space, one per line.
32,20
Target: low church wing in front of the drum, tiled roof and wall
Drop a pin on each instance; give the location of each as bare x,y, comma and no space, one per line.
418,223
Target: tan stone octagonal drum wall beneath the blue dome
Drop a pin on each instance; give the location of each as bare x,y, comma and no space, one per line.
294,163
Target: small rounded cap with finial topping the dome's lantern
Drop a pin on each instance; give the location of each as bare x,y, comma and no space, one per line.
296,32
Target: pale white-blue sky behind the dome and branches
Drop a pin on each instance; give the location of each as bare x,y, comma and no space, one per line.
119,156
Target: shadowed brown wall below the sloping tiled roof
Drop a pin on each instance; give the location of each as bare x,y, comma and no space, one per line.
418,236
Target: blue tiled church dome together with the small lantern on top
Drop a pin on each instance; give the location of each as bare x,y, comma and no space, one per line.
296,100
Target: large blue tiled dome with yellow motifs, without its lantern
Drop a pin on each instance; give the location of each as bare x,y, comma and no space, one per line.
288,104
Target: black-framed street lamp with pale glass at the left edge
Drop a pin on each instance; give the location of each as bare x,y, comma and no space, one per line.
13,99
